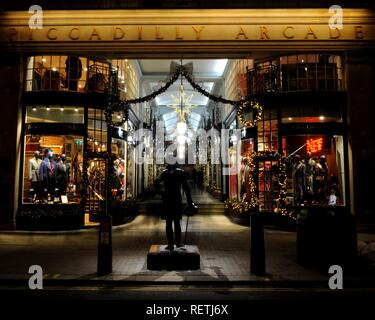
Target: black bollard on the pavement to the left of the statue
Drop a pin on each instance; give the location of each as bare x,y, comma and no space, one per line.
105,246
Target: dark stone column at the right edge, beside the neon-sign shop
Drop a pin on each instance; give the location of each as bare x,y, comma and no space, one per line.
360,84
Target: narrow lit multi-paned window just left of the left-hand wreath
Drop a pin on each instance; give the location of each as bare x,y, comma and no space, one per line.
96,131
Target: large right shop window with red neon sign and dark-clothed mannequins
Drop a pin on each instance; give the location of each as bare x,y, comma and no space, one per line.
315,170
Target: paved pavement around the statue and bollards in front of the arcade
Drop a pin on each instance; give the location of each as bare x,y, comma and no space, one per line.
224,248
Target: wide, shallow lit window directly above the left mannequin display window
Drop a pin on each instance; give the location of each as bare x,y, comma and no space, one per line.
54,114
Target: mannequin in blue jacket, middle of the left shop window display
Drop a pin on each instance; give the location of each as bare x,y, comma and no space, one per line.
47,175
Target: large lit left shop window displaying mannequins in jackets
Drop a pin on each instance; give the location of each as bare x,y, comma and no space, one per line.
52,169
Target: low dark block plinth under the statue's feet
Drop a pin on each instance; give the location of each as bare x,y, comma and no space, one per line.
185,258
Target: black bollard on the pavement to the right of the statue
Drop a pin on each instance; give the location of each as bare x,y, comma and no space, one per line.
257,251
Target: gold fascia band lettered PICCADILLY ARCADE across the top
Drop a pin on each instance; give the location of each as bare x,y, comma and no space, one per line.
243,33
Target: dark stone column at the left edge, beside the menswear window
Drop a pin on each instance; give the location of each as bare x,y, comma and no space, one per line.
11,85
